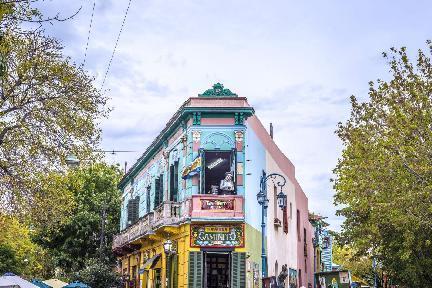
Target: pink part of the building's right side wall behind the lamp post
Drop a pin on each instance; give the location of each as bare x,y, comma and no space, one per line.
286,248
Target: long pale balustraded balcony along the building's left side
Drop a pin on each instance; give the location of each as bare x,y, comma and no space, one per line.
168,213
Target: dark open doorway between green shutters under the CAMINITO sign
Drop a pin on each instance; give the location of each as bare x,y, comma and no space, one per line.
217,270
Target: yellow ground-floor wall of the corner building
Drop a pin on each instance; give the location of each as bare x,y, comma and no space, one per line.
131,264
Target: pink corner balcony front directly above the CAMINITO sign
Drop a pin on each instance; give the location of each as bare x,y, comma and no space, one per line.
217,208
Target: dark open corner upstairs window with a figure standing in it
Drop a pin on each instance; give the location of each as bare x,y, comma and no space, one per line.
219,172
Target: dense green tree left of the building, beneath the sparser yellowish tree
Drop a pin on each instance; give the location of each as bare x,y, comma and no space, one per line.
77,236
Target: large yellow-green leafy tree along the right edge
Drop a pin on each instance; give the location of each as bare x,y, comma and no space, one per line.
384,177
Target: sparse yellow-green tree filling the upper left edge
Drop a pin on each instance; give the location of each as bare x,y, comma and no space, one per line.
49,106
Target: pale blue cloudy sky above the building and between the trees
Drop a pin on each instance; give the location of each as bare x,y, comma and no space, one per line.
297,62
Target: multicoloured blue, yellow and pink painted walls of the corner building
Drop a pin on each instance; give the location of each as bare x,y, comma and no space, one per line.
256,152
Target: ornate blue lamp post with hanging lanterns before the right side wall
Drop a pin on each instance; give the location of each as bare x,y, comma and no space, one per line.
263,201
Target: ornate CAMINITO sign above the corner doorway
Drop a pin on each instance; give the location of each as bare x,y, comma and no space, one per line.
217,235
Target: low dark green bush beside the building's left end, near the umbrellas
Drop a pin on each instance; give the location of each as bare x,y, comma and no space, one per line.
98,274
